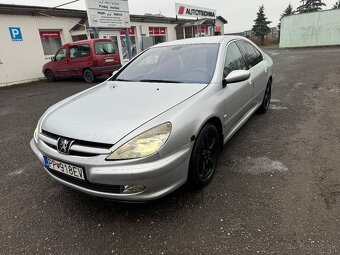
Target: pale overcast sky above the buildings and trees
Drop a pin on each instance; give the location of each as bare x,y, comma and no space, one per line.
239,13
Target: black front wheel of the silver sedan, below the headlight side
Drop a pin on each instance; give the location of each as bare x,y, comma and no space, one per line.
204,157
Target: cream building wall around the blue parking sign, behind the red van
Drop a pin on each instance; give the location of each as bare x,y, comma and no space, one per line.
23,60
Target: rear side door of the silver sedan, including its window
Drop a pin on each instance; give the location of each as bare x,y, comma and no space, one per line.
257,68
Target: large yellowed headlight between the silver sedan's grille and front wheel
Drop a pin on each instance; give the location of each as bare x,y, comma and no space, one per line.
143,145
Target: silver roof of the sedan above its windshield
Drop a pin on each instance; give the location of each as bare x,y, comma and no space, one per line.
200,40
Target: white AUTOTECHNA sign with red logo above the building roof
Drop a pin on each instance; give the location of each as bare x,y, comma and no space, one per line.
194,11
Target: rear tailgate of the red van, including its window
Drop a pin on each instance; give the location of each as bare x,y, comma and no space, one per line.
106,54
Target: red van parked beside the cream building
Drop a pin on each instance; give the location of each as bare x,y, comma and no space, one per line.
87,58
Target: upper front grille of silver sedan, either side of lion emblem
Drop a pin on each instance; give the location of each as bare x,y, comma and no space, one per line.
89,149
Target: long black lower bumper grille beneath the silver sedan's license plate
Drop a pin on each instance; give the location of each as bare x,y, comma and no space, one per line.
88,185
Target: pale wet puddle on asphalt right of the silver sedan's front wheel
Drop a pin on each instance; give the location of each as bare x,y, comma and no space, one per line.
259,165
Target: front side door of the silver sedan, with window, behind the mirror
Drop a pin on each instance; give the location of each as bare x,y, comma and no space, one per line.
238,95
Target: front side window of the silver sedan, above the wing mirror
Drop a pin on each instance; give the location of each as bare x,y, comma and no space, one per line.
234,60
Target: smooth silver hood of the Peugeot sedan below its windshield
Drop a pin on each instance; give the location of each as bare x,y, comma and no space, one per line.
108,112
